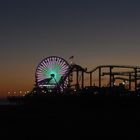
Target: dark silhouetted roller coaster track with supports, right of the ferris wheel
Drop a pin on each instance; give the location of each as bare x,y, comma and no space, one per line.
134,72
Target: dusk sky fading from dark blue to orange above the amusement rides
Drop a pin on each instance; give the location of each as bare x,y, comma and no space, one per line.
96,32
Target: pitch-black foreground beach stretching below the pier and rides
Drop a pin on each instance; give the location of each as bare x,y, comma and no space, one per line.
71,117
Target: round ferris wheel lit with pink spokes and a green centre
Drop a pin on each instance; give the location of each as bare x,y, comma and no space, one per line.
52,73
